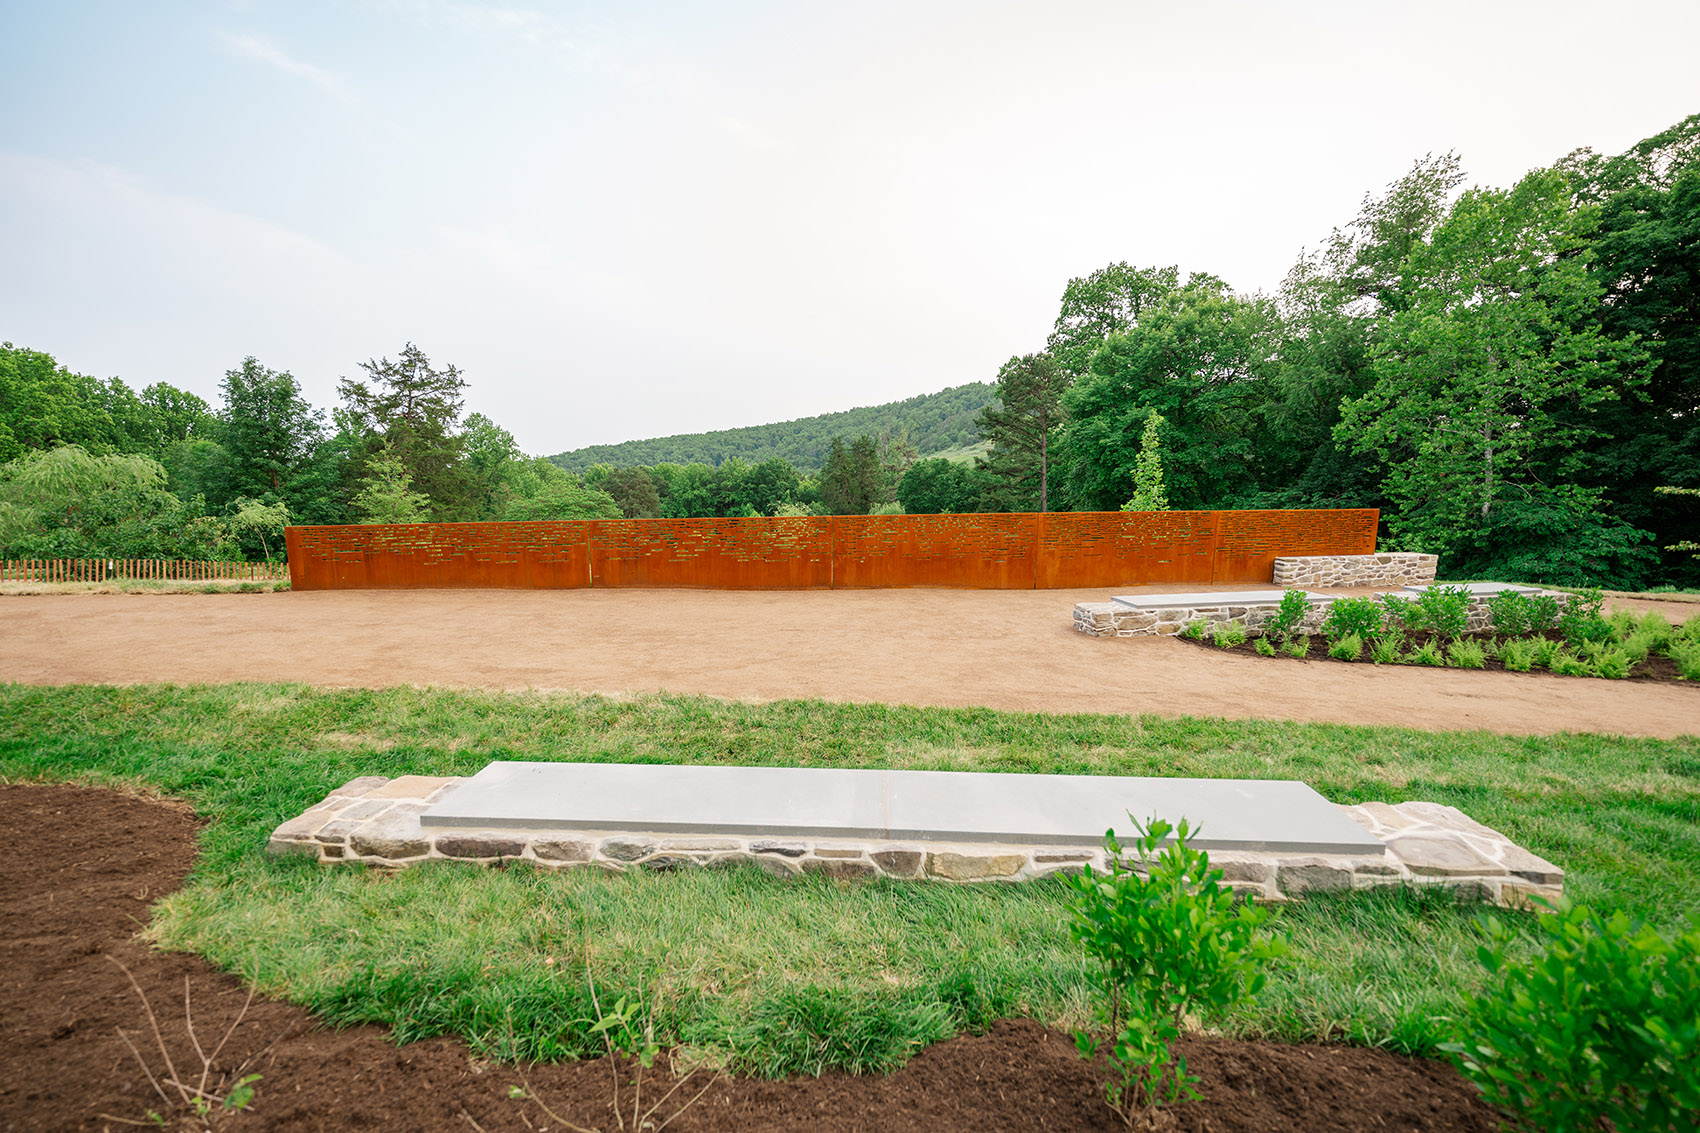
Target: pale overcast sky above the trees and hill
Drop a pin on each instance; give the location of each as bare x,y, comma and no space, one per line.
628,220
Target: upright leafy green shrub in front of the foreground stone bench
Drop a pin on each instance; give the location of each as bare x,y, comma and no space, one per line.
1169,940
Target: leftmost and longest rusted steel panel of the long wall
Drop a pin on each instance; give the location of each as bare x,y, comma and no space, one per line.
411,557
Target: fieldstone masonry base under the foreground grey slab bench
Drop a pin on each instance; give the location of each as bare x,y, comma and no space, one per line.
377,821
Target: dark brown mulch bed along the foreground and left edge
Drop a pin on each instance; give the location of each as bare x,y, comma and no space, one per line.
84,865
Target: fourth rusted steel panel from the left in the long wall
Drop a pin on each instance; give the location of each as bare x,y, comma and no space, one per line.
1126,549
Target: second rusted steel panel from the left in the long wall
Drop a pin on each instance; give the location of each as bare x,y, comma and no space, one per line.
785,554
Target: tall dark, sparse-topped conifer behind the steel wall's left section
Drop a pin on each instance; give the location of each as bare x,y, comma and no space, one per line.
414,411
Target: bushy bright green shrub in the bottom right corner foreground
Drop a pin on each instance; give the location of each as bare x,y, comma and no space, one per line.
1604,1025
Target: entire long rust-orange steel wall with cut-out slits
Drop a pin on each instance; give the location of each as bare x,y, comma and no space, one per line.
999,552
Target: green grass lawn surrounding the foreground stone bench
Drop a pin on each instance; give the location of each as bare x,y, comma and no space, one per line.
781,977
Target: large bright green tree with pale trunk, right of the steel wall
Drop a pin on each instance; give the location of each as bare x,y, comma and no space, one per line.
1493,339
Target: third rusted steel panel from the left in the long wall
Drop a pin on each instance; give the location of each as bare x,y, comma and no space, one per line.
985,552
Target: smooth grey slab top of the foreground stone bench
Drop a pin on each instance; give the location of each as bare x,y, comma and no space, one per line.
895,806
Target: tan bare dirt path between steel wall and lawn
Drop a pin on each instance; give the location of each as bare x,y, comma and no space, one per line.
995,649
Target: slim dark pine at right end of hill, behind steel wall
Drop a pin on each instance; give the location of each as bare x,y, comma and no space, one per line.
1023,426
